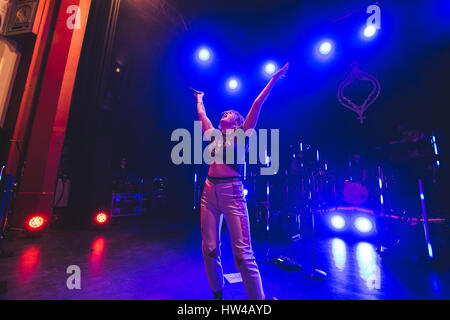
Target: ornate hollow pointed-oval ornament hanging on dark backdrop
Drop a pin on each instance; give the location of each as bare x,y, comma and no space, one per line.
354,75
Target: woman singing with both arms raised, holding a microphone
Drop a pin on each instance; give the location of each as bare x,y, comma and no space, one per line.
223,193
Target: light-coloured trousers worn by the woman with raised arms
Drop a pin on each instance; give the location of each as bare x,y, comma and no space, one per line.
227,197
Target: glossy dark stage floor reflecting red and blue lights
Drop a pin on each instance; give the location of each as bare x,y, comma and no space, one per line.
141,260
